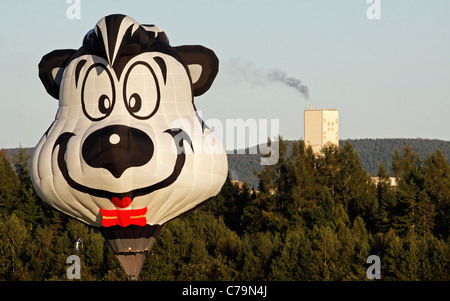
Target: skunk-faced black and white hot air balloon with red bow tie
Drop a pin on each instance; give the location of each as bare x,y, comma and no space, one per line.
128,151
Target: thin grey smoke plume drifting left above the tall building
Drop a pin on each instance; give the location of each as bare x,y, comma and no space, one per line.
249,72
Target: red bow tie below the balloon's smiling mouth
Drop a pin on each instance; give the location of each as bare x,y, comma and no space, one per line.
124,218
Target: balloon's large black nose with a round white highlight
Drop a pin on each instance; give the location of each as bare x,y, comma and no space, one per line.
117,148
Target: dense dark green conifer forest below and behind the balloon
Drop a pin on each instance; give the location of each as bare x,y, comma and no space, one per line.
314,217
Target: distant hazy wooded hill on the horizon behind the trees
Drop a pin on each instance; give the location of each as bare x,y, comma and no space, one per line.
370,151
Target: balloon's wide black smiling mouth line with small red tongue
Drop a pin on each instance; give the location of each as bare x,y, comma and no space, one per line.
124,199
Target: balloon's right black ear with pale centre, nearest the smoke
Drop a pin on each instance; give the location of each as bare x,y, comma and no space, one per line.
203,66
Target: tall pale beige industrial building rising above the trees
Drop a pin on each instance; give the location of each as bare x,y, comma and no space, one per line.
321,127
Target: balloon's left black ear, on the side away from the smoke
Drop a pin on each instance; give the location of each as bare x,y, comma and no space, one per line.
51,69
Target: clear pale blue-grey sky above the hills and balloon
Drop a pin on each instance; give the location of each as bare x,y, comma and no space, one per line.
388,78
